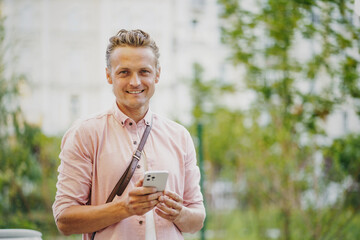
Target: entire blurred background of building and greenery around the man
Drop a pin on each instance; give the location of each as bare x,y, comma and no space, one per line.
269,90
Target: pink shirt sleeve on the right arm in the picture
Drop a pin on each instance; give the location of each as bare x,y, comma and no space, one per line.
192,194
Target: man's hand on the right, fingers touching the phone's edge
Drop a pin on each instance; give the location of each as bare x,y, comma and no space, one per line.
170,206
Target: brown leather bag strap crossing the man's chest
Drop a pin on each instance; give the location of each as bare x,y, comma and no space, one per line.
129,172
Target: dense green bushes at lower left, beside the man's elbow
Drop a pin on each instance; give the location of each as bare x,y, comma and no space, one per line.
27,178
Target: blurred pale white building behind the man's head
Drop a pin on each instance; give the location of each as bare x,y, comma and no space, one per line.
59,45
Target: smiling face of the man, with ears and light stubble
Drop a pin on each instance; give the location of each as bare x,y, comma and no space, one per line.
133,75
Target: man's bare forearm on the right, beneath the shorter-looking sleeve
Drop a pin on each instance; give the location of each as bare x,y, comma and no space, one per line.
190,219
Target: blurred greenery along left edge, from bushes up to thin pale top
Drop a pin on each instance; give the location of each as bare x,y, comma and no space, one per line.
28,159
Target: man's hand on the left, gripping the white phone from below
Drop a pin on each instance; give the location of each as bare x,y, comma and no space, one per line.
142,199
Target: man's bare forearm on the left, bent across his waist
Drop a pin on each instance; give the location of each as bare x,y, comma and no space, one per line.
87,219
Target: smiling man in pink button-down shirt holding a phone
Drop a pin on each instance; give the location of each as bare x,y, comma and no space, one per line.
95,152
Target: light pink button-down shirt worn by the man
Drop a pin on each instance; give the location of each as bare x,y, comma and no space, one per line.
95,152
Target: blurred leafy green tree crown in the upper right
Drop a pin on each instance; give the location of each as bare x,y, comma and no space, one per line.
266,42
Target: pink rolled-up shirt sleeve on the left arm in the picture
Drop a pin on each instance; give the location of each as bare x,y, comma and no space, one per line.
75,171
